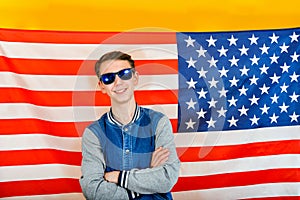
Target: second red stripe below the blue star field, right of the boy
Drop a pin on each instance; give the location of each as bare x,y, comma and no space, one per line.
237,179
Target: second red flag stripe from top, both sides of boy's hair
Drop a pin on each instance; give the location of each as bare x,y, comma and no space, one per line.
80,67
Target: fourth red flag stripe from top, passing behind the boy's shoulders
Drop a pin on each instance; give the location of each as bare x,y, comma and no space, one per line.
63,129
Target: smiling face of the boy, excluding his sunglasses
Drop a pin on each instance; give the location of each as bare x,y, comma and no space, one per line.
120,91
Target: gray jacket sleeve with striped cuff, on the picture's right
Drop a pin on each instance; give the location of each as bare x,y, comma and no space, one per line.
159,179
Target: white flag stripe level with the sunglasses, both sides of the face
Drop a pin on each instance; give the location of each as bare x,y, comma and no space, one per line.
79,83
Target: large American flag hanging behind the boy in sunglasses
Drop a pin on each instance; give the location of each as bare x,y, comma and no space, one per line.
233,100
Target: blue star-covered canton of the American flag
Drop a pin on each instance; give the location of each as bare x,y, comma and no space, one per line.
238,80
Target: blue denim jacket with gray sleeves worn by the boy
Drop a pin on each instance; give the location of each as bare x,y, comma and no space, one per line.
128,149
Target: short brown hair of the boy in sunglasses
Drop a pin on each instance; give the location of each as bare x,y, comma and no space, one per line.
114,55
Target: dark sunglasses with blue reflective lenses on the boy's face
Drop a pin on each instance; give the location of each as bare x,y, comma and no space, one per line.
124,74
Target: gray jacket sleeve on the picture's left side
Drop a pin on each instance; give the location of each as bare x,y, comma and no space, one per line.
92,181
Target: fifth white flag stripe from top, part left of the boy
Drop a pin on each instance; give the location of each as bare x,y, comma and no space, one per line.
38,172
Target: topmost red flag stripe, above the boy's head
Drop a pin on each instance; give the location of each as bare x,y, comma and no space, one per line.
87,37
